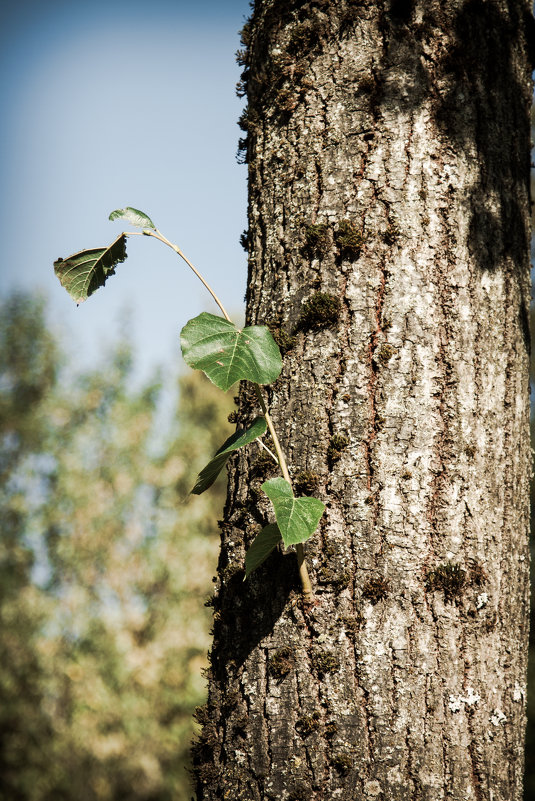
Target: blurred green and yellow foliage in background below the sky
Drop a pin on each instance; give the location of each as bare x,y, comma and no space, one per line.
104,570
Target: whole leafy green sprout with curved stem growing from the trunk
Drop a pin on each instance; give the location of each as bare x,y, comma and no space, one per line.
87,270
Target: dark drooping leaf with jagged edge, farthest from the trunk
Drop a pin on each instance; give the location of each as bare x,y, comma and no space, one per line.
83,273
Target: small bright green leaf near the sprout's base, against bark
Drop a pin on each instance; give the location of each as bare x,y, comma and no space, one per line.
297,518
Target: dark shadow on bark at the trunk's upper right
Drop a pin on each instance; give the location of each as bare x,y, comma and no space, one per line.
469,108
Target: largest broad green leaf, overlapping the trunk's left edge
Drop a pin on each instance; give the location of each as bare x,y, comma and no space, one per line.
227,354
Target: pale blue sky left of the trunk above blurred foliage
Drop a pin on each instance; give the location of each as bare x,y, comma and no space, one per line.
112,104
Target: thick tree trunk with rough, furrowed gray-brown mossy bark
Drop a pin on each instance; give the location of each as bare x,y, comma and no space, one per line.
388,148
